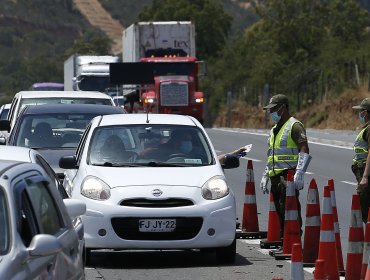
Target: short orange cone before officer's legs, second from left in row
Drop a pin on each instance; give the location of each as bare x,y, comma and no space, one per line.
273,232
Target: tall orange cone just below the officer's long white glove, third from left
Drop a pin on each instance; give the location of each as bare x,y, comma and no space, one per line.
292,231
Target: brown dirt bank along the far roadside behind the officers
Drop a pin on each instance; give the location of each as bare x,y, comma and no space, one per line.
334,113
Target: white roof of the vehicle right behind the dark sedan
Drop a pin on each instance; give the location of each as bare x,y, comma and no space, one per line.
62,93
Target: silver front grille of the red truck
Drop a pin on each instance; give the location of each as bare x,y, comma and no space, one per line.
174,94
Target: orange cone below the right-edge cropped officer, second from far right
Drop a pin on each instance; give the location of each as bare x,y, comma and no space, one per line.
355,241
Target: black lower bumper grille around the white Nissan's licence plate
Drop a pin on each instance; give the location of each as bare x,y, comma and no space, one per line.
128,228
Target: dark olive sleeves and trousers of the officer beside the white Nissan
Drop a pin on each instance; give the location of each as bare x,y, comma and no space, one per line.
279,182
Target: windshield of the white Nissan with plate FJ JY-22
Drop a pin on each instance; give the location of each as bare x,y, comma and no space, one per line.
153,145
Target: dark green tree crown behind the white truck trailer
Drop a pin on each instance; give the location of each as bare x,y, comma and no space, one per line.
212,24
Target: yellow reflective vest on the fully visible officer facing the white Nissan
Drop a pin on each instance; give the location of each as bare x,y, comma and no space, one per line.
283,151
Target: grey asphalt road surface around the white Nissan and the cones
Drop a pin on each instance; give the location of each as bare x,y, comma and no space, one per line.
331,159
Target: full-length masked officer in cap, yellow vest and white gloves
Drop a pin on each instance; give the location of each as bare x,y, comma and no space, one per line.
288,150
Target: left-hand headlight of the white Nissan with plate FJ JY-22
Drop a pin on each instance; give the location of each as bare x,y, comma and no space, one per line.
95,188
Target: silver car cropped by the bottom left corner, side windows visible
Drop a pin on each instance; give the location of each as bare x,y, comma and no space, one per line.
37,238
